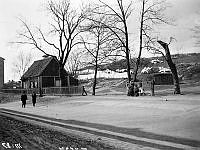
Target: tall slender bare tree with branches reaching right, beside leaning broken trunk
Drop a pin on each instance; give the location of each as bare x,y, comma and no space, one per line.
152,14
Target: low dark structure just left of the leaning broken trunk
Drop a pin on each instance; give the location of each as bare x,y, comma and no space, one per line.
163,79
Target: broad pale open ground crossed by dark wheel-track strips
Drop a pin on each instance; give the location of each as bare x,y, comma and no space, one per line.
174,122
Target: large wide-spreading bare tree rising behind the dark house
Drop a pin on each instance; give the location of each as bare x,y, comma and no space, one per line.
62,38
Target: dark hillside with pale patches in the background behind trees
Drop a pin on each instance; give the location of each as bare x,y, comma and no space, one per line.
188,65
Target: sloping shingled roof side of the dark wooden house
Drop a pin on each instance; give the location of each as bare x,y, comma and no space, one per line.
37,68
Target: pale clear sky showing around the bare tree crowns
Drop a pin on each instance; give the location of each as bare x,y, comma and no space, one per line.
185,13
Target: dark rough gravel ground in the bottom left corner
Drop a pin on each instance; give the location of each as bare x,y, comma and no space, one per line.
16,134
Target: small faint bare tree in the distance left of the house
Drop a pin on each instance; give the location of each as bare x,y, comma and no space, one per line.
21,63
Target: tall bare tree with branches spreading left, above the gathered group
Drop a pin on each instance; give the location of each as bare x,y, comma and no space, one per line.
117,24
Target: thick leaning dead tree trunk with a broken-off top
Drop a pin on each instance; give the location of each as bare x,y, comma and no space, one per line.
172,67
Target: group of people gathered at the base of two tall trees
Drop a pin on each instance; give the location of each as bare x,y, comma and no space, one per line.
134,89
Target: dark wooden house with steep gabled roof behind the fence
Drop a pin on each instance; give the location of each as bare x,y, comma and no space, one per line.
45,73
